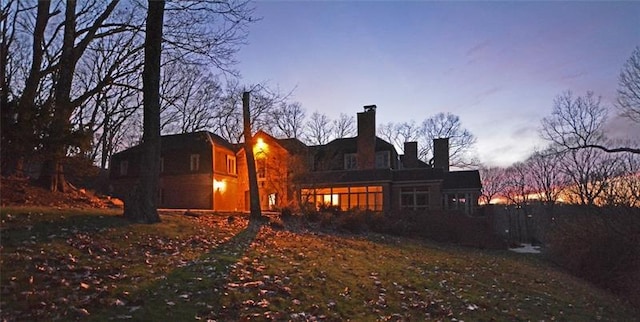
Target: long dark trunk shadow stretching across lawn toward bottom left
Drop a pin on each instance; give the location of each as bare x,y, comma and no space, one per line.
190,292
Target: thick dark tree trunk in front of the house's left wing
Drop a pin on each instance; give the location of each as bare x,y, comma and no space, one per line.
141,206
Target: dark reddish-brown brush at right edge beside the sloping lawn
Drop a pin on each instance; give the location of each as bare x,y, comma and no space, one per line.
601,246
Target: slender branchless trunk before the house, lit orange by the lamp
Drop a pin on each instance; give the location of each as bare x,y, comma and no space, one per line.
254,193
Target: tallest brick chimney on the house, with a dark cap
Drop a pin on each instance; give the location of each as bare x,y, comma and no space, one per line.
366,140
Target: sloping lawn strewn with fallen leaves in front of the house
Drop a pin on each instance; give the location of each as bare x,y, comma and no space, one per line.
94,265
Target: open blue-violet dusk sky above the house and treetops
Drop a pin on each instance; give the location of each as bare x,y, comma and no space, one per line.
496,65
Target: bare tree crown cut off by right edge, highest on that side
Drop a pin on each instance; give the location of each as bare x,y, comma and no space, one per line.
629,87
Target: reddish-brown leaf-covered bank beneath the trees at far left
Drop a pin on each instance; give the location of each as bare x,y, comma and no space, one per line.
22,192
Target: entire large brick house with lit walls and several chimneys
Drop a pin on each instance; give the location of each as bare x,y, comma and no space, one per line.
203,171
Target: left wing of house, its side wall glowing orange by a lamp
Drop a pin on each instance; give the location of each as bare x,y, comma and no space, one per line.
197,171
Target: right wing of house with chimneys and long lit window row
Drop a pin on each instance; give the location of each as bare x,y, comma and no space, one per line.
366,172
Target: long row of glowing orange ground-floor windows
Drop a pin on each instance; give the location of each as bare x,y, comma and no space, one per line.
362,197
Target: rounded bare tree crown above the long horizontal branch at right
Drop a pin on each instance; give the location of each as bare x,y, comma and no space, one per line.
579,123
